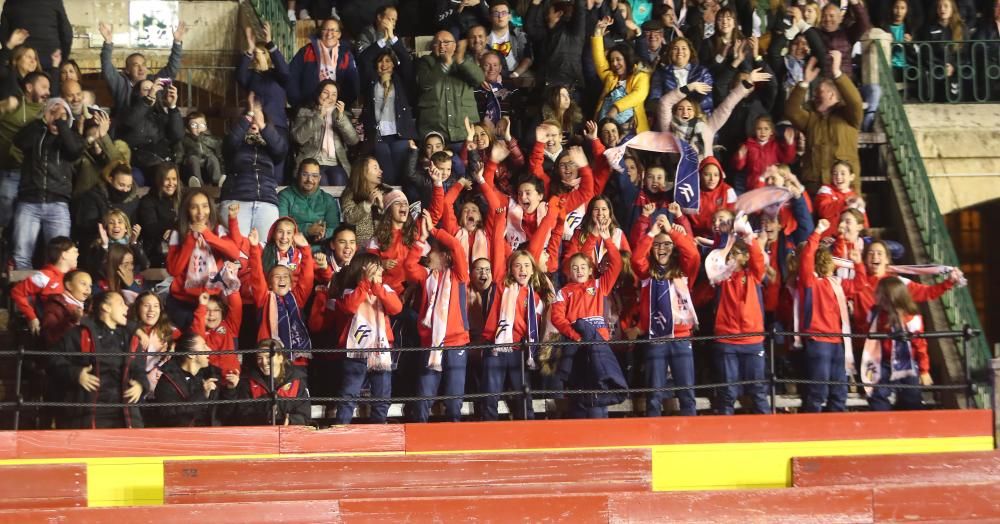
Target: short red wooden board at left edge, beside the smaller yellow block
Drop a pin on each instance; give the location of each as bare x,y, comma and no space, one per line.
43,486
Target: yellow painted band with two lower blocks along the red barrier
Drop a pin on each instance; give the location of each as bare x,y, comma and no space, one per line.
128,481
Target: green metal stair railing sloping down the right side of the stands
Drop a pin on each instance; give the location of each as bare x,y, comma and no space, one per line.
958,304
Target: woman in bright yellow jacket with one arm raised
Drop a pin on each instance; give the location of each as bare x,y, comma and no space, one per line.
625,86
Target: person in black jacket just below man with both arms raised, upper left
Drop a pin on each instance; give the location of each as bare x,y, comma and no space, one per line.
152,125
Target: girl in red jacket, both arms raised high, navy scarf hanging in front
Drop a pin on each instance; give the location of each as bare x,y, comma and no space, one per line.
279,302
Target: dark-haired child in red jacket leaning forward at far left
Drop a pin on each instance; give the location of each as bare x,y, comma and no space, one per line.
61,255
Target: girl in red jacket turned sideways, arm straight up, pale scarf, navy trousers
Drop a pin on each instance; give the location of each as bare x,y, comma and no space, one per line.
823,308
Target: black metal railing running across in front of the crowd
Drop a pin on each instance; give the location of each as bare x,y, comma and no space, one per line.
969,387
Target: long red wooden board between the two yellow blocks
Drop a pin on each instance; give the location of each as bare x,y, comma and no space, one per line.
310,478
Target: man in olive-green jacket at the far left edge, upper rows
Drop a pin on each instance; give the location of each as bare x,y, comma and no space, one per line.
22,111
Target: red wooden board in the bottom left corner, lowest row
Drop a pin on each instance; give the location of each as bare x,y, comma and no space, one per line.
262,512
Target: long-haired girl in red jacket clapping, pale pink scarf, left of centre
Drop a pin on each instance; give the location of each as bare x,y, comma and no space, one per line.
198,249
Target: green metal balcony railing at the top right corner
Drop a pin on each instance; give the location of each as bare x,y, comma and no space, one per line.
922,70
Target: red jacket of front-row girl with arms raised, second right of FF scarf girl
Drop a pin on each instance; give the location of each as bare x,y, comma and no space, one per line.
457,332
